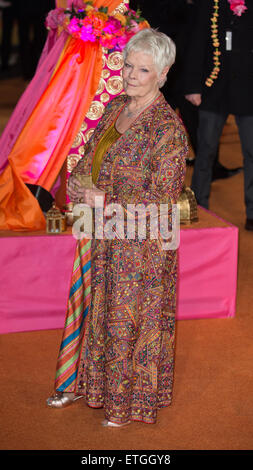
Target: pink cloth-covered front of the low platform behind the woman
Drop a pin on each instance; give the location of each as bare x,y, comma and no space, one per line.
34,283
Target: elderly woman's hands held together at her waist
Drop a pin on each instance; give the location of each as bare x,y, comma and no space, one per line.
78,194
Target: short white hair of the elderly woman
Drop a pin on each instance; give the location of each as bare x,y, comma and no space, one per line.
151,41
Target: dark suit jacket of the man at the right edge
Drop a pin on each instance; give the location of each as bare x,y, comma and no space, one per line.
232,91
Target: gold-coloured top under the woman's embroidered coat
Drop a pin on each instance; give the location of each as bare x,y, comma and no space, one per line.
110,136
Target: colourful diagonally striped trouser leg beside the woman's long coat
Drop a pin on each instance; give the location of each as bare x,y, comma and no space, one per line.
77,310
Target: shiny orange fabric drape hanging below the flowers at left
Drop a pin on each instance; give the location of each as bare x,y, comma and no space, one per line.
43,144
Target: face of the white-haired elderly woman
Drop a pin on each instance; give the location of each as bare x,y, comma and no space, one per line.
140,76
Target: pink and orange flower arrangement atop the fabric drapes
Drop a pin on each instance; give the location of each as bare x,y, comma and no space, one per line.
86,22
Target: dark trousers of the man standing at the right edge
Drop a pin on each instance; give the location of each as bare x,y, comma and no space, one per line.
209,132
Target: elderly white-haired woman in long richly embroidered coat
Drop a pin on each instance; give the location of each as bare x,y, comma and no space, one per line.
136,155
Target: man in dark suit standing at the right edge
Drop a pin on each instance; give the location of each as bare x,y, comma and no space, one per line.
230,92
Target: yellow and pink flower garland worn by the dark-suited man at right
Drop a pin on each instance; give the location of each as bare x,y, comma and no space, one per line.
238,7
